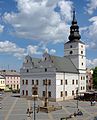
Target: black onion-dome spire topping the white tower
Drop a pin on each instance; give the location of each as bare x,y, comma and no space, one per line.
74,29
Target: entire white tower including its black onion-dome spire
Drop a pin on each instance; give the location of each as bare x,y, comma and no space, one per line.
75,50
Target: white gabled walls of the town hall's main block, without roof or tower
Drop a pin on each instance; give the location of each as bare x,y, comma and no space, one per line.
63,85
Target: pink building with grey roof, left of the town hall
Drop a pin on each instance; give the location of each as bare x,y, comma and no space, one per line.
12,79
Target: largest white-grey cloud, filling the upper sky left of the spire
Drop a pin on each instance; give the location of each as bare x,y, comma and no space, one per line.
37,19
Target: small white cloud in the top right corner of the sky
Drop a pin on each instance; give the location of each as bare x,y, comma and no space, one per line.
91,6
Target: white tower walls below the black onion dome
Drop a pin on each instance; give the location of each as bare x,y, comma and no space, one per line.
76,52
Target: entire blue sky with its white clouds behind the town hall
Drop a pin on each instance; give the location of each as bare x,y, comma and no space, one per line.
33,26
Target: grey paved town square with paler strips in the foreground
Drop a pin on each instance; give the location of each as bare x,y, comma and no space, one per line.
14,108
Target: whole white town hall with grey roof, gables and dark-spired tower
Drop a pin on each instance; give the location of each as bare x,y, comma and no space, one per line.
66,75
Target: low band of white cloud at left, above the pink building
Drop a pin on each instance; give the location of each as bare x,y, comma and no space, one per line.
8,47
